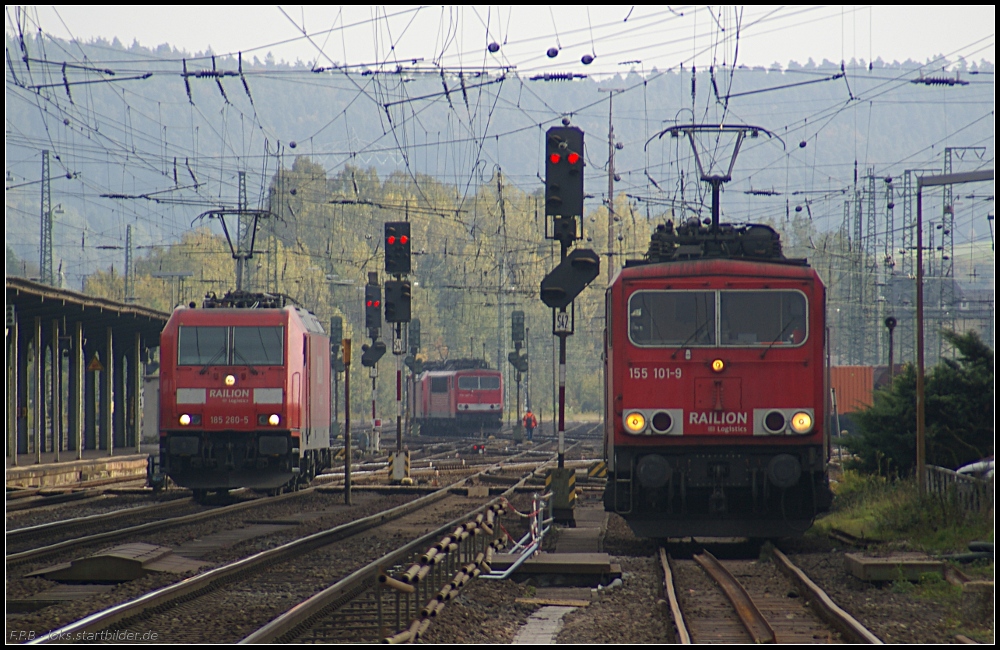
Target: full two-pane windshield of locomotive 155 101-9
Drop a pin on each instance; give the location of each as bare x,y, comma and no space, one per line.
717,318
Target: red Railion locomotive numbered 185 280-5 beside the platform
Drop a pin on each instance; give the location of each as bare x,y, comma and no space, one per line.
244,394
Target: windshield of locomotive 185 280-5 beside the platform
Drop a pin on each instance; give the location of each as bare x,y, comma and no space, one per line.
203,346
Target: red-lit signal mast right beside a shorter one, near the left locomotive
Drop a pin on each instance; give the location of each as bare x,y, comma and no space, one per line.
397,311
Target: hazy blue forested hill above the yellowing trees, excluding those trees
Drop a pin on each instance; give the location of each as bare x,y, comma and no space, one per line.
151,147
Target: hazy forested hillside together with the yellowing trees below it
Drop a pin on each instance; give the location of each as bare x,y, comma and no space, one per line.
145,141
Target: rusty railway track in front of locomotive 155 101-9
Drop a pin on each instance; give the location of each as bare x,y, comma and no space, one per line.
743,601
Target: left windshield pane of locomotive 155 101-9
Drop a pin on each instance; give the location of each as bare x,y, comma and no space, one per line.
672,318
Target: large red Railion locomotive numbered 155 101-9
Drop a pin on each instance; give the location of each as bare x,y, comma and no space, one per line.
716,386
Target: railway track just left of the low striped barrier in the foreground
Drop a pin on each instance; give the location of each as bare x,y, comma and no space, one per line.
263,585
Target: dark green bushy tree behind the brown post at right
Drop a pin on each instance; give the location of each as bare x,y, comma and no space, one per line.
959,413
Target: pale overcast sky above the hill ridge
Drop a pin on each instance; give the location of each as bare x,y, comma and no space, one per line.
636,36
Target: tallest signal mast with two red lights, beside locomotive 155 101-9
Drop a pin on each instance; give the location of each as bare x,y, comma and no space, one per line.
564,204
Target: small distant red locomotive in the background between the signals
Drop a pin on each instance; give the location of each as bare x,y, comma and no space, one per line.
458,396
